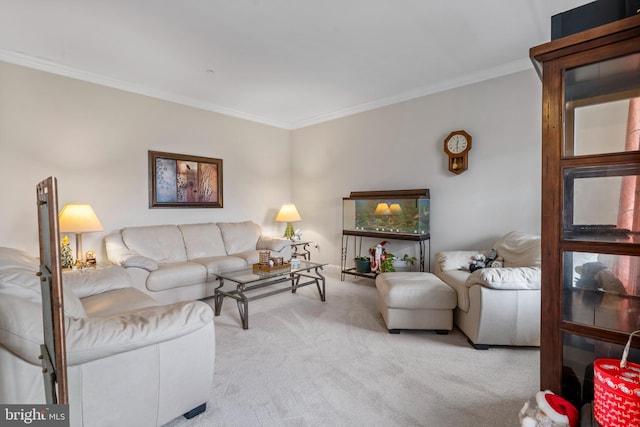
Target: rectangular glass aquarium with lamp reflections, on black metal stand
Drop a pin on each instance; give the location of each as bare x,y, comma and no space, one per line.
404,212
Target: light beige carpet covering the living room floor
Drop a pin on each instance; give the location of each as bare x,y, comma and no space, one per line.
303,362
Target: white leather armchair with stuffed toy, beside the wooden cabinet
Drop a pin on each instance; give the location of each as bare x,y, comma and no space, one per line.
497,306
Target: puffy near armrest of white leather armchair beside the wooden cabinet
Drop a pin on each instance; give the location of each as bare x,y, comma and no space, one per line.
514,278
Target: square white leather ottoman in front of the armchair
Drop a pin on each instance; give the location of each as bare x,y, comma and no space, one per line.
415,300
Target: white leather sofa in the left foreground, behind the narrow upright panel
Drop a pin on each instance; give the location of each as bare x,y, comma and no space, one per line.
131,361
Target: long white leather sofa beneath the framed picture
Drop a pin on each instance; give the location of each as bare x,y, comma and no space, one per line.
178,262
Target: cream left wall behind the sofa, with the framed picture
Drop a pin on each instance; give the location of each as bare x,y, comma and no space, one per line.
95,141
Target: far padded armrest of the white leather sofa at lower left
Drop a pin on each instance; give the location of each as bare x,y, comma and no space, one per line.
89,282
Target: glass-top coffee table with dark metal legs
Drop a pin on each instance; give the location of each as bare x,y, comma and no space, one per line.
237,284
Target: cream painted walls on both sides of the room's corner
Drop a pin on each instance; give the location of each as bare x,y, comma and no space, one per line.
95,140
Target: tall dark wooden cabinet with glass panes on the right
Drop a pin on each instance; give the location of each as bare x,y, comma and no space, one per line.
590,203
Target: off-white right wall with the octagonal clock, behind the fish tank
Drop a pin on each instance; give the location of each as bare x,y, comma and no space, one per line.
401,147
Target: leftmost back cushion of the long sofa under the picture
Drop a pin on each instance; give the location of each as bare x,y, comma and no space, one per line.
161,243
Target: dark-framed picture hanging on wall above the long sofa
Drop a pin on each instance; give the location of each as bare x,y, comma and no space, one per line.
184,181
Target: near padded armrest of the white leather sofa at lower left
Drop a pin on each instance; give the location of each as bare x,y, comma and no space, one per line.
95,338
